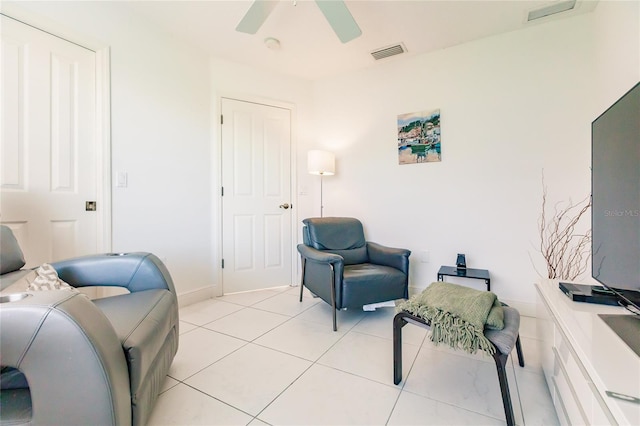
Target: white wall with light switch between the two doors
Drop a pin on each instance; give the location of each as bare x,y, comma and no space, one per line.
160,127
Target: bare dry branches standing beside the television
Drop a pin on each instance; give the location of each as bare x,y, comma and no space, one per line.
565,250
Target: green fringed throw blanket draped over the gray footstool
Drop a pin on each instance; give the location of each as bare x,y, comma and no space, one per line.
458,315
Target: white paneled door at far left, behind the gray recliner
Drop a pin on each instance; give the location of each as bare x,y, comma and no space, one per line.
48,143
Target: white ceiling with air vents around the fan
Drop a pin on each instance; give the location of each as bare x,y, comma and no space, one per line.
309,47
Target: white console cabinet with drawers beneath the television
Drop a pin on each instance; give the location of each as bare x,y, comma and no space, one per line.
583,359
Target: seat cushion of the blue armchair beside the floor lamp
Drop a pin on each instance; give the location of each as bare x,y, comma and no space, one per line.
369,283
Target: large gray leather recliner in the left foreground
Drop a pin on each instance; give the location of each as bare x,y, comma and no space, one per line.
70,360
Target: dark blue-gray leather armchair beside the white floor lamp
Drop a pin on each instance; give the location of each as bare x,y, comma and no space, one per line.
345,270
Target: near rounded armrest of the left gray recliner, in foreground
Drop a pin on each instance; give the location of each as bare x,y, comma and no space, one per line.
71,358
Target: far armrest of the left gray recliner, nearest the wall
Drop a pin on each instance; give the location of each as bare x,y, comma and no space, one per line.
133,271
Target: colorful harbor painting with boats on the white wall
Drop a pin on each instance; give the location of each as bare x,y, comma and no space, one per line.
419,137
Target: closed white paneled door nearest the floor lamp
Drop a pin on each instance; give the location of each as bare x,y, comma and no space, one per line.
256,202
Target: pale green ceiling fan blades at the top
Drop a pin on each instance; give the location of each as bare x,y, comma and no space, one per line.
335,11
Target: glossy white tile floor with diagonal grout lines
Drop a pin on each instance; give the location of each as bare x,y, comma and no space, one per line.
265,358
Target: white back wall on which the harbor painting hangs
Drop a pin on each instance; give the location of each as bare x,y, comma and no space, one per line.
511,106
